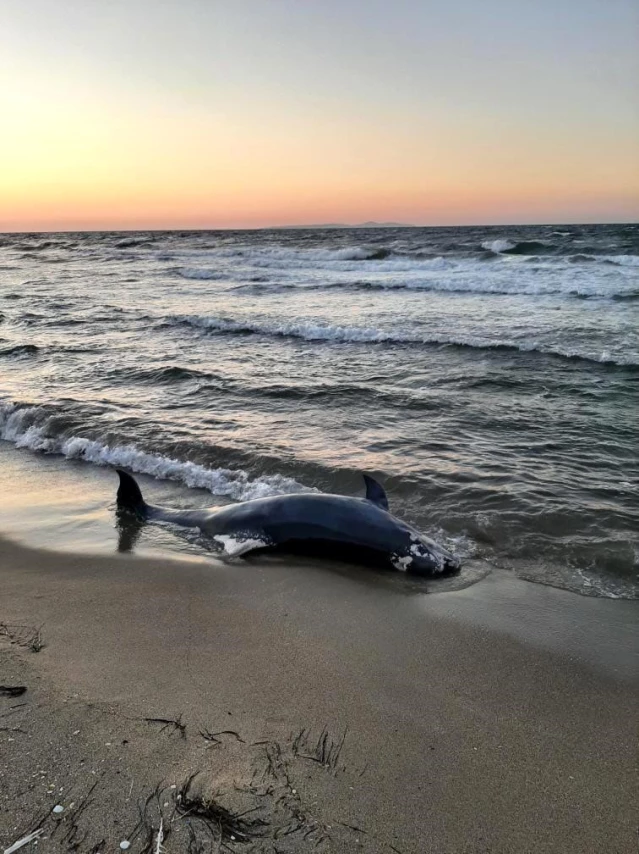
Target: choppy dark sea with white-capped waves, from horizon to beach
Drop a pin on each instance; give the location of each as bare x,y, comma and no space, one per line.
488,376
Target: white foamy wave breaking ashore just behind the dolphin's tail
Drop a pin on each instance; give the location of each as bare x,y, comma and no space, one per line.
35,428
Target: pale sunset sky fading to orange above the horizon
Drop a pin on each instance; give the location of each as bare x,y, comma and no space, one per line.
248,113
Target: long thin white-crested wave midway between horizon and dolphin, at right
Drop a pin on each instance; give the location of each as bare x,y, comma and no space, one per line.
312,331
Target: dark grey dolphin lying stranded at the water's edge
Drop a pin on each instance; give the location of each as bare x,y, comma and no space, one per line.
359,529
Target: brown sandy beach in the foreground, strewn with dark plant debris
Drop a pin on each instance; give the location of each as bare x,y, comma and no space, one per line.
320,709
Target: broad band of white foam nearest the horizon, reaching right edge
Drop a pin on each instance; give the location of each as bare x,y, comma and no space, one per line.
607,276
